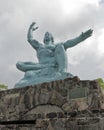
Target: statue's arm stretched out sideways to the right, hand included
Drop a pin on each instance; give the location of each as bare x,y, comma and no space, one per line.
80,38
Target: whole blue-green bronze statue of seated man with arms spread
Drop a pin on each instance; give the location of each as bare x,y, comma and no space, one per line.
52,59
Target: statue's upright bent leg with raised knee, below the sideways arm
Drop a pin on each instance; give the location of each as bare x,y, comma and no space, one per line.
61,58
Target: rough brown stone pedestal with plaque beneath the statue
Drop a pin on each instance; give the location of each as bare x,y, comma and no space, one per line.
68,104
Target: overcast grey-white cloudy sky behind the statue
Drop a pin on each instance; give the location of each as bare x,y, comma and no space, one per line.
65,19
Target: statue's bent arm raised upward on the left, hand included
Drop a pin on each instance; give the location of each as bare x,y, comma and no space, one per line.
35,44
